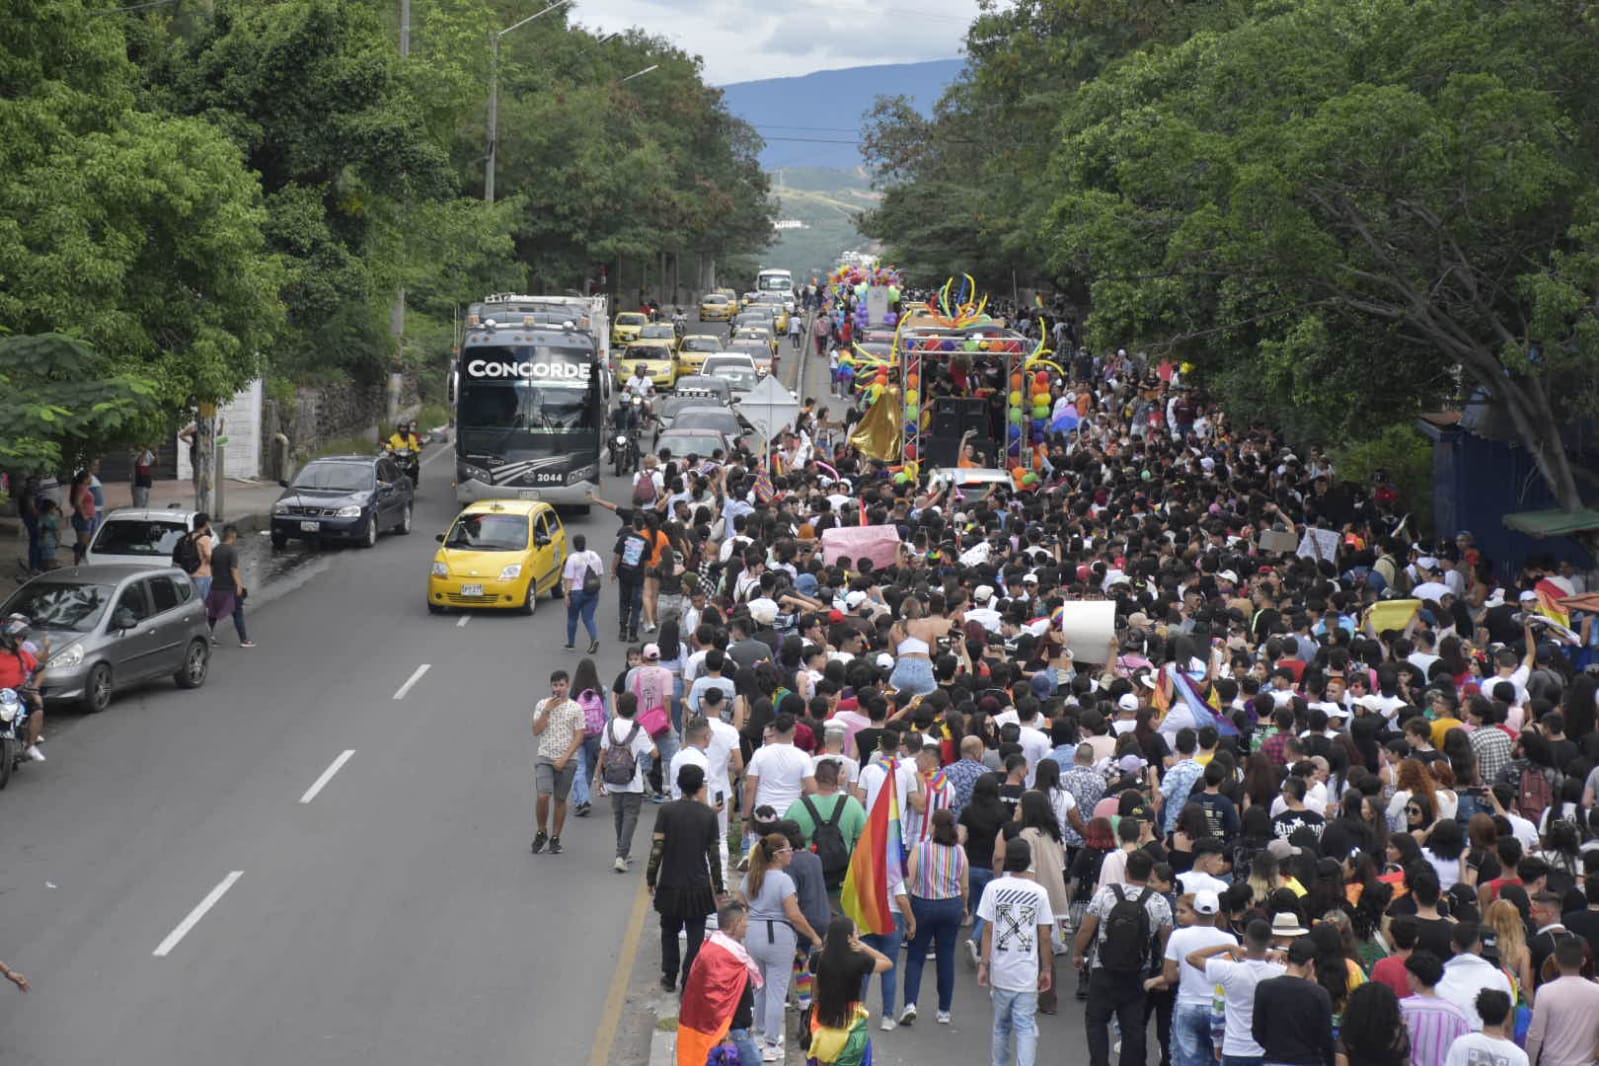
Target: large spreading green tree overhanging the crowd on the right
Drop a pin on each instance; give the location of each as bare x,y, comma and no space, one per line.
1344,213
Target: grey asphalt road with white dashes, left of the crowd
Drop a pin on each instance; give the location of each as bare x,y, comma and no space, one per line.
396,918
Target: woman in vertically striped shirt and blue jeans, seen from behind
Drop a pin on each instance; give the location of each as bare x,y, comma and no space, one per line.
938,881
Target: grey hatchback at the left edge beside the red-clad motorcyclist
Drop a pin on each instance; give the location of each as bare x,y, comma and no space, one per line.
114,627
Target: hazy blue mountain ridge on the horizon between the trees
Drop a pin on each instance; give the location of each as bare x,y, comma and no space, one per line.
815,121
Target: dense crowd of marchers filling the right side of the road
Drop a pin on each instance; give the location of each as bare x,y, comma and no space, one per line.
1253,829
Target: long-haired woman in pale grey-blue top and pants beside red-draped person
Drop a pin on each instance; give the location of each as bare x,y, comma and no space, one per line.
775,918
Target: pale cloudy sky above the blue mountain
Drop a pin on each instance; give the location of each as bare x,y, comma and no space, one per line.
744,41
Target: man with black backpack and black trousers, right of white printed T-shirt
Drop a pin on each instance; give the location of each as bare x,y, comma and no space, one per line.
1128,926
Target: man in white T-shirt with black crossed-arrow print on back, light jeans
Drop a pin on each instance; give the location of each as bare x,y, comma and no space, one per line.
1018,923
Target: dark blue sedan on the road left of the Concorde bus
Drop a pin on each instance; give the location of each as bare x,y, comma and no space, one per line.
343,498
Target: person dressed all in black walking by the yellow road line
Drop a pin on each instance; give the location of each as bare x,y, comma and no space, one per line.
685,873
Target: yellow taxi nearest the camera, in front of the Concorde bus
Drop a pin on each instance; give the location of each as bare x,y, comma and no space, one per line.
498,554
